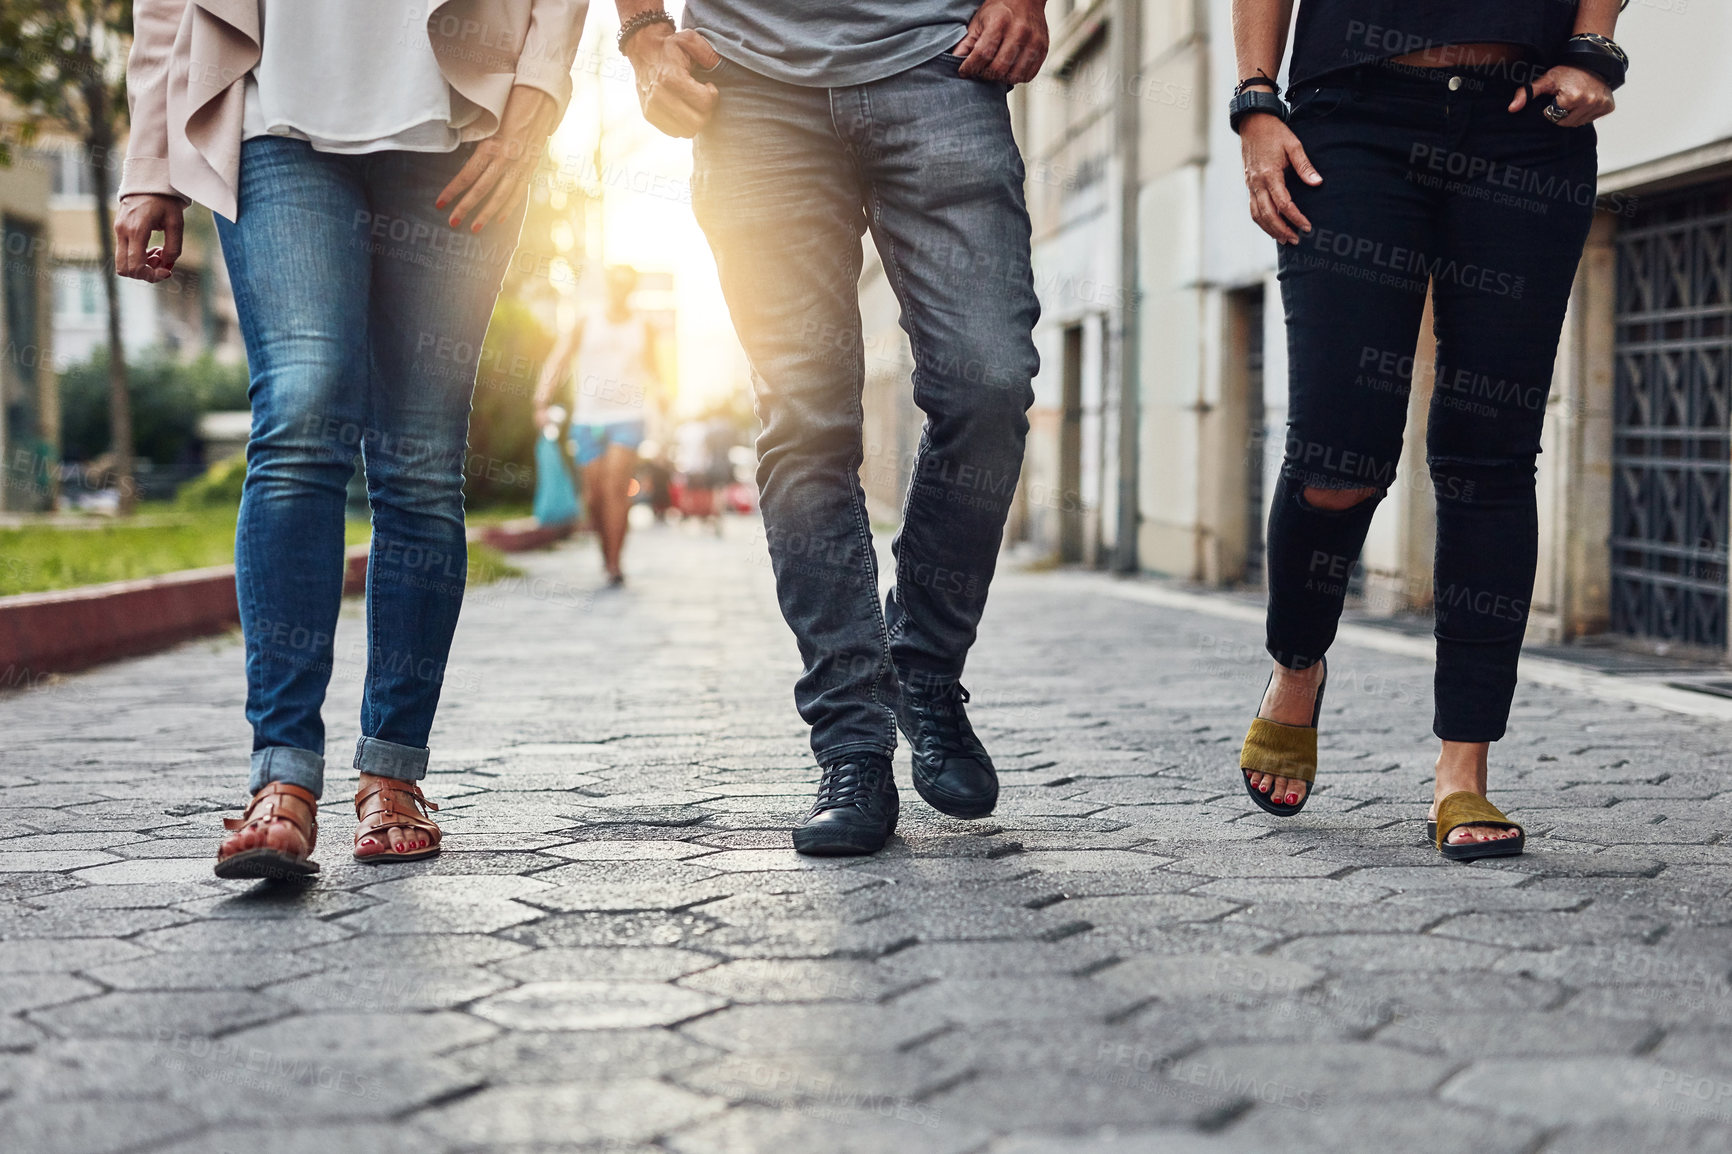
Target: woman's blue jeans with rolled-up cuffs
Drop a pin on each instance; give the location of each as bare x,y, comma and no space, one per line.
363,313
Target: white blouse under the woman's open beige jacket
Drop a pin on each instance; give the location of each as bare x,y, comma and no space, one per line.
351,79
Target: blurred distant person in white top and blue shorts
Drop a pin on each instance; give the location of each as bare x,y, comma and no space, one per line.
609,363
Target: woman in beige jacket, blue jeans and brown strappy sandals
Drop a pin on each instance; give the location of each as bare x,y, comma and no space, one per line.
368,171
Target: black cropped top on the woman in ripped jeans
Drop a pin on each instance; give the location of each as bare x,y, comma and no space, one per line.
1341,34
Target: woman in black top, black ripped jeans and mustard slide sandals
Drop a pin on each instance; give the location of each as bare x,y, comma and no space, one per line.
1388,179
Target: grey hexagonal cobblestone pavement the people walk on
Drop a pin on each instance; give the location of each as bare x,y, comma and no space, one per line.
621,952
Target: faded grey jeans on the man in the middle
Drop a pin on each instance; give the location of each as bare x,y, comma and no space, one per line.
785,183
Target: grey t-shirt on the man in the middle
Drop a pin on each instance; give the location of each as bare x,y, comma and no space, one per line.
829,44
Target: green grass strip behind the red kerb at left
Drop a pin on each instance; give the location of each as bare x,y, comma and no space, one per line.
160,540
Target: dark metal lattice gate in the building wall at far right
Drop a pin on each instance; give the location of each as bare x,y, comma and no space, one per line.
1672,427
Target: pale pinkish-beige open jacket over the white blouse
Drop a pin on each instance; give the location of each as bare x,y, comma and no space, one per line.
190,60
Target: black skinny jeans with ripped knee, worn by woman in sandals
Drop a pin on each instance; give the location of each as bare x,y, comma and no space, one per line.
1425,185
